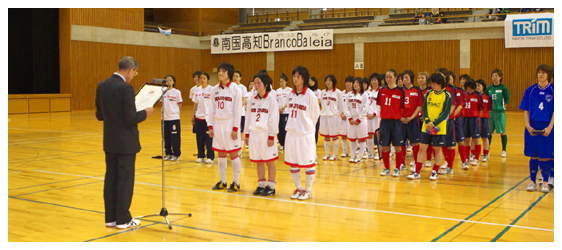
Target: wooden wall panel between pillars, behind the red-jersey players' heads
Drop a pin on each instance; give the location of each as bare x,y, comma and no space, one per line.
417,56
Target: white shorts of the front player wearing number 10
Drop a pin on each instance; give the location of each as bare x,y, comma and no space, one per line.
222,139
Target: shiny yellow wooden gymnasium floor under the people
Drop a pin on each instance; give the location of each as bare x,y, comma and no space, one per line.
55,181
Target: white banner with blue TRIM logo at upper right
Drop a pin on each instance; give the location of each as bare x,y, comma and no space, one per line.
529,30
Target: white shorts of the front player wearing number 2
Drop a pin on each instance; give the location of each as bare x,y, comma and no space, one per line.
258,149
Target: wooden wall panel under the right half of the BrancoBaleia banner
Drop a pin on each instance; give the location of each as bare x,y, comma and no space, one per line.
338,61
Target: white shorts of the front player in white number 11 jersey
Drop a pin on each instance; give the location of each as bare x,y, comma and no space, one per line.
300,150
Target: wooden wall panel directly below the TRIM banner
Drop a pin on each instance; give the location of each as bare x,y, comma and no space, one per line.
518,65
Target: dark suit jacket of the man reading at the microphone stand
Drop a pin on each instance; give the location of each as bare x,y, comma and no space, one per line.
115,106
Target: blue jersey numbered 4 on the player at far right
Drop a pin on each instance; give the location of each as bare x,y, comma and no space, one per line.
539,102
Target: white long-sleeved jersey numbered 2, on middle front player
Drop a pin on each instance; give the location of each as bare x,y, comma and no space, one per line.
262,114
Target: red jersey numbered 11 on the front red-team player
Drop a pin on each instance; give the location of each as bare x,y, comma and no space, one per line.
391,102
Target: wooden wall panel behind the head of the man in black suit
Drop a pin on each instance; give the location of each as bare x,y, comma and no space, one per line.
93,62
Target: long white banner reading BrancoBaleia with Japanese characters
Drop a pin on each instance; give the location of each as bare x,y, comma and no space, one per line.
274,41
